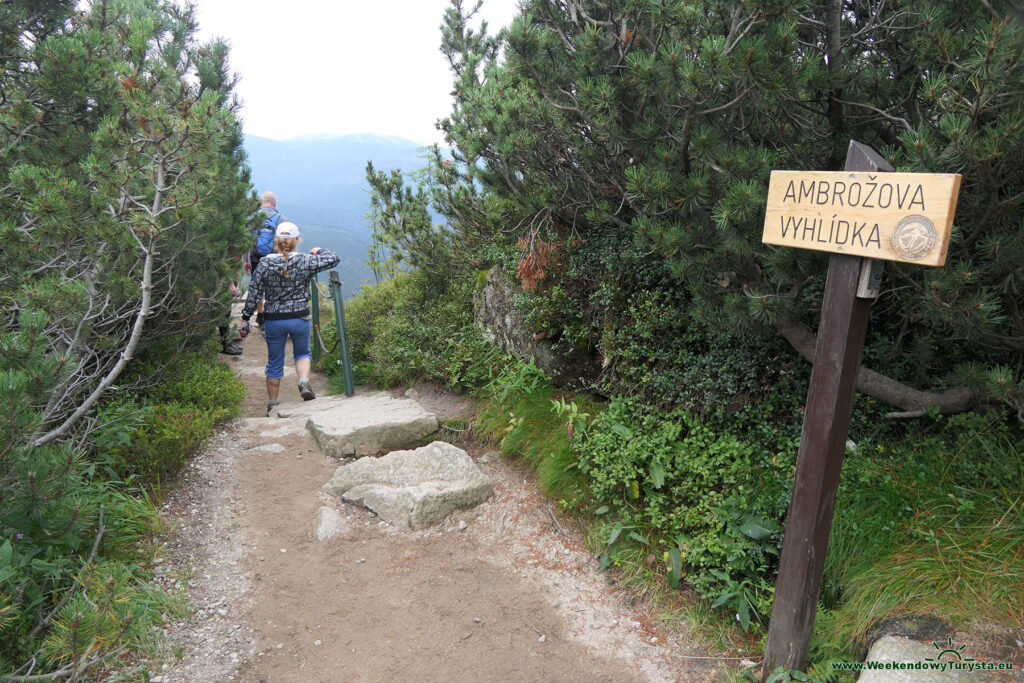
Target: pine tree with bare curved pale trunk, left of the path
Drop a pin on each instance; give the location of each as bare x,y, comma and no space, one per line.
123,190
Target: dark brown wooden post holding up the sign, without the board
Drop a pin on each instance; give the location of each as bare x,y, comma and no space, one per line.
823,445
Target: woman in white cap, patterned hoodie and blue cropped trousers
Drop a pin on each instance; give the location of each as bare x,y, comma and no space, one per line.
283,279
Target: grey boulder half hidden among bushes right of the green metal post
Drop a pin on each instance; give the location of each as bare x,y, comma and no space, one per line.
494,311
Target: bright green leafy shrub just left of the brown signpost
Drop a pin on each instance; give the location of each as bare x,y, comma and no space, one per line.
709,504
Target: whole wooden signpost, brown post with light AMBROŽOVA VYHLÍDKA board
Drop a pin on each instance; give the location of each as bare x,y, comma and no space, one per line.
860,212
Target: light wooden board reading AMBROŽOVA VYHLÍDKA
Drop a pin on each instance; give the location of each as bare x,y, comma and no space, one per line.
892,217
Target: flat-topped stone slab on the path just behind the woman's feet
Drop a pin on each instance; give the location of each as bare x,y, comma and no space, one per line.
365,425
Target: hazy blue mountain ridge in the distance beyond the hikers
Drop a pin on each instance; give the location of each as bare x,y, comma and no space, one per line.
321,185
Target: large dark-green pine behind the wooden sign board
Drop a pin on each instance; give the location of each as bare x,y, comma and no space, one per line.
636,140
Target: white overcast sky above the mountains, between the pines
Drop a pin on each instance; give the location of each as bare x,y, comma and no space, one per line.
340,66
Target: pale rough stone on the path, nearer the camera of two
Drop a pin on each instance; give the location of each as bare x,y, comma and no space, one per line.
413,489
